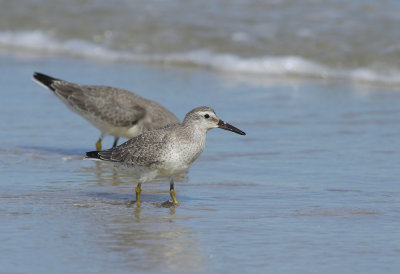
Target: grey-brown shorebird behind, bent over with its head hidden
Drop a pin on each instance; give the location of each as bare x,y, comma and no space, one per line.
114,111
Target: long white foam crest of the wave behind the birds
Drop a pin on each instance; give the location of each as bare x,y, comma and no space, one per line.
40,43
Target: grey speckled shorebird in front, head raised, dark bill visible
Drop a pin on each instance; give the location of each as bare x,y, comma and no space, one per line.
167,151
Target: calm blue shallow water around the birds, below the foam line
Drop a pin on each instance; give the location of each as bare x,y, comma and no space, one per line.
312,188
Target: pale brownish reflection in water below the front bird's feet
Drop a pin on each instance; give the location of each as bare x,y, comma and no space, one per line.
154,243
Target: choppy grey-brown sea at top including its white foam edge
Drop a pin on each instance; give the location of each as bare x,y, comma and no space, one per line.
357,41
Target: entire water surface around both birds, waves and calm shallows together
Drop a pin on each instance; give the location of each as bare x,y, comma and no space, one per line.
312,188
